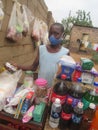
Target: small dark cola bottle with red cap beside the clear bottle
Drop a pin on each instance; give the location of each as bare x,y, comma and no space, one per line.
66,114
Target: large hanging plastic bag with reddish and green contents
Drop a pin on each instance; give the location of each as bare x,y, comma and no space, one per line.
15,26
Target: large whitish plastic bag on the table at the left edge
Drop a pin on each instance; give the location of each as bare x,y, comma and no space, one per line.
8,84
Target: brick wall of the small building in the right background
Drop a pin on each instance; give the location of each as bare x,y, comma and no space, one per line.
78,31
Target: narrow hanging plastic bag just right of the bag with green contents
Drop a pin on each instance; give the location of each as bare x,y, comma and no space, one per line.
27,19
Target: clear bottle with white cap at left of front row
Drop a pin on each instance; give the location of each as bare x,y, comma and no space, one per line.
55,113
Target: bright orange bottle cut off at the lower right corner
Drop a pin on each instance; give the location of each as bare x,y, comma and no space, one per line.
94,124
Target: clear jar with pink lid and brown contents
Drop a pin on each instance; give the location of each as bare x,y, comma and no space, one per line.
41,88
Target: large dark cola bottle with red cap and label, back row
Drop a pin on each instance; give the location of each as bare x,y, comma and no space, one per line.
60,91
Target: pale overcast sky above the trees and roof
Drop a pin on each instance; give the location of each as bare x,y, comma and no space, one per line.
61,8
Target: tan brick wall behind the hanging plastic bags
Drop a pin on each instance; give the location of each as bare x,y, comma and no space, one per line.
21,52
